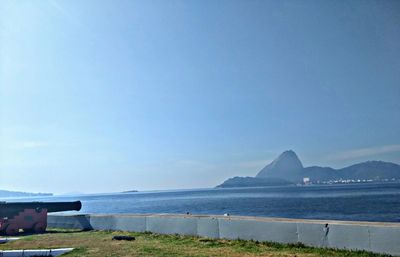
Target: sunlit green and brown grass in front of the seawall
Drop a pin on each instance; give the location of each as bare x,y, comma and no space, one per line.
100,243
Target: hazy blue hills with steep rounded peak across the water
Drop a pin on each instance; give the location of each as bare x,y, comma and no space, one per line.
287,168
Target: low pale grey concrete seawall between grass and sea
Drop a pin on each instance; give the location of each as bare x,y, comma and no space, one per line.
376,237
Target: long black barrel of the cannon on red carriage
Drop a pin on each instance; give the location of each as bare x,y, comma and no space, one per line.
7,208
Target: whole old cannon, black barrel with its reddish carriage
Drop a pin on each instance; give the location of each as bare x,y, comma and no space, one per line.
30,216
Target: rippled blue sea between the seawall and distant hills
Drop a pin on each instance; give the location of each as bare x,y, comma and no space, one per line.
360,202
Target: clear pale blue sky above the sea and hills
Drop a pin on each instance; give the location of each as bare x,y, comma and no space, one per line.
113,95
